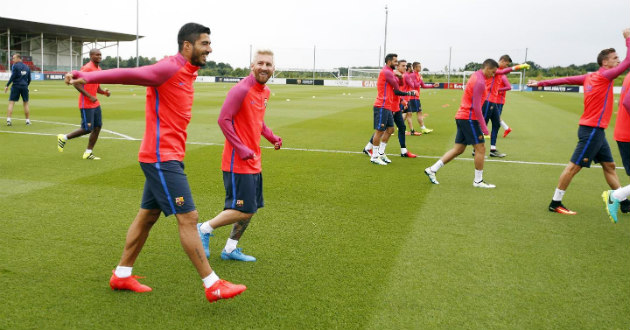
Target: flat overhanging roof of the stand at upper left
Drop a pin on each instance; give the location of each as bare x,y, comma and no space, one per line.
53,30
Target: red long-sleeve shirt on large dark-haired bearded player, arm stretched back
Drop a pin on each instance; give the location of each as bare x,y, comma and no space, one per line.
168,107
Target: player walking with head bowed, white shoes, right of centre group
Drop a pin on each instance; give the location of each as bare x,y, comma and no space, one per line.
471,127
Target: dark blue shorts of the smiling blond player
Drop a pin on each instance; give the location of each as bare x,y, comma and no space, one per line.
243,192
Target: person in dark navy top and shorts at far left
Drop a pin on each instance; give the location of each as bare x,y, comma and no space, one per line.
21,78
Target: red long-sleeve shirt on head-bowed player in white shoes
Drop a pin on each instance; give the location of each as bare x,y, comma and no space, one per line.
474,94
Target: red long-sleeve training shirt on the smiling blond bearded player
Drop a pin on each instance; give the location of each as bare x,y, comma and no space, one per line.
242,122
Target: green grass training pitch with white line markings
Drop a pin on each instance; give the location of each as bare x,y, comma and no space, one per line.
341,243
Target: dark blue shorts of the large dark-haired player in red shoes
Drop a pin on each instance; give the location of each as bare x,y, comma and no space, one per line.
166,188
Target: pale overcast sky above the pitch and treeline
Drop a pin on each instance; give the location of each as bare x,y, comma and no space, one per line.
349,33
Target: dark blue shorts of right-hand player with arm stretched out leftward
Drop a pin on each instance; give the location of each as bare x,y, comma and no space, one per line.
592,146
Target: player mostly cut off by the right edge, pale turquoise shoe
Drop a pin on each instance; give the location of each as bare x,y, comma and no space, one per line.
618,199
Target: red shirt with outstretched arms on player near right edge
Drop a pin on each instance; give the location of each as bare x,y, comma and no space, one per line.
598,91
